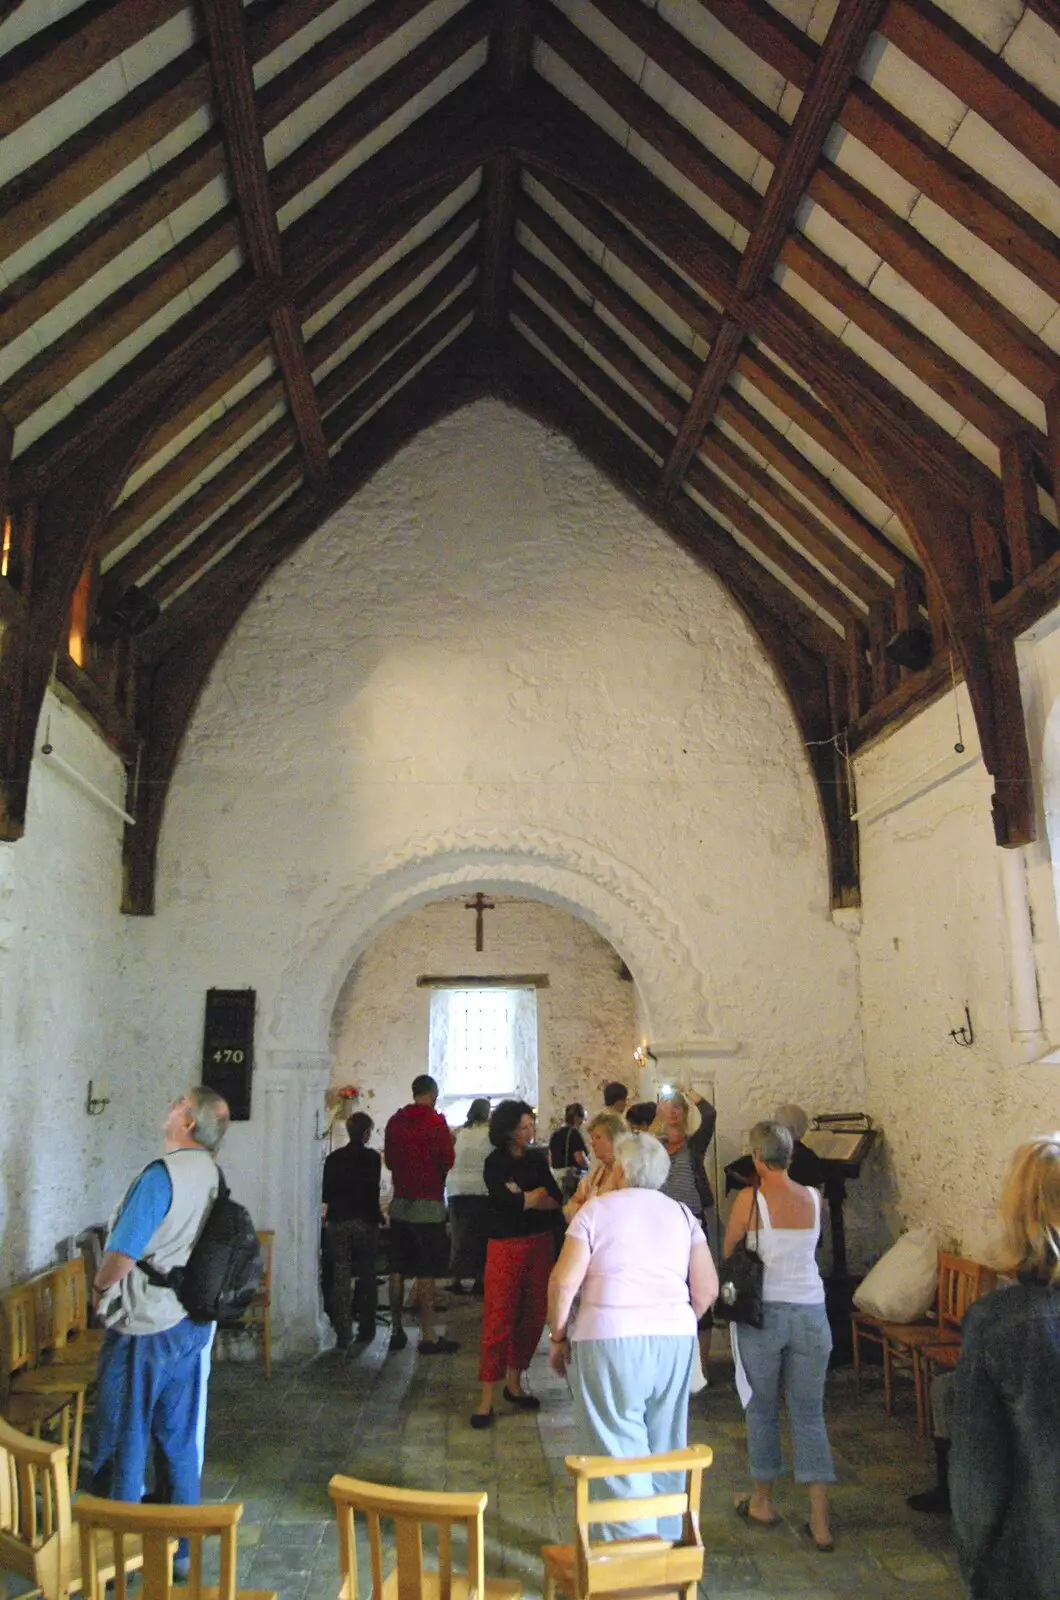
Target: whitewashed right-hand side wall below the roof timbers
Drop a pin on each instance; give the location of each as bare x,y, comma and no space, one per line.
949,919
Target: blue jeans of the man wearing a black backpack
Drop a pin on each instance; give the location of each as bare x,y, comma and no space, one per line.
153,1390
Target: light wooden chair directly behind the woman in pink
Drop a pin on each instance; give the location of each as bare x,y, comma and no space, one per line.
632,1567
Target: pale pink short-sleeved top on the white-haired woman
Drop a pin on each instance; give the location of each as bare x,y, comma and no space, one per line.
638,1281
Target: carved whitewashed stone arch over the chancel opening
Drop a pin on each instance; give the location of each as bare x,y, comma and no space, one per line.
563,871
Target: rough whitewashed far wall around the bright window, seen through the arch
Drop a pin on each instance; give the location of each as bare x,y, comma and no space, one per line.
587,1015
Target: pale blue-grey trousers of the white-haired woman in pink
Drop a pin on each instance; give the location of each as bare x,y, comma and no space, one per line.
632,1399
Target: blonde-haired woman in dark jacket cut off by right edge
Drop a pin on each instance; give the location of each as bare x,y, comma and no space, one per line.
1005,1462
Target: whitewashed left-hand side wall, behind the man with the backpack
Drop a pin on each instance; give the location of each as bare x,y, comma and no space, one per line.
62,1020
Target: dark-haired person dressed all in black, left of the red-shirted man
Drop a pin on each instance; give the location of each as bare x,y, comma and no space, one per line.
351,1210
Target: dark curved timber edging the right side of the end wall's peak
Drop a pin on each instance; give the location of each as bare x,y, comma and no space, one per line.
797,644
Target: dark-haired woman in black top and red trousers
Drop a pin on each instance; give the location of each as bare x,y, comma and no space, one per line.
521,1217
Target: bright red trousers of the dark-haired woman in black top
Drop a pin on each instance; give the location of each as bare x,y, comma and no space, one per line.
515,1305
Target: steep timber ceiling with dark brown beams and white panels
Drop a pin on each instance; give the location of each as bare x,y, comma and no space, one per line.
787,271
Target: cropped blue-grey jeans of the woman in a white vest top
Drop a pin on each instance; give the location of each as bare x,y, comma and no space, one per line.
792,1348
